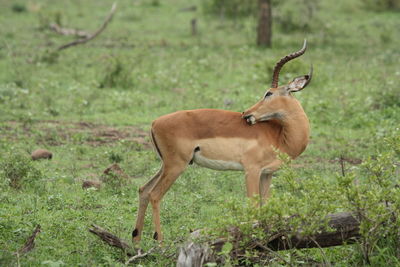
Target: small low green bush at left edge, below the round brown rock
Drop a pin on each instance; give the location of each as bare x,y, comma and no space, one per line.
18,169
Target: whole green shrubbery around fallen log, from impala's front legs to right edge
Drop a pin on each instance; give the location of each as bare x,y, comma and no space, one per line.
371,192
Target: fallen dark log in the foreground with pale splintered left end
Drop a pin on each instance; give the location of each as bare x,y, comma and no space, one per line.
345,225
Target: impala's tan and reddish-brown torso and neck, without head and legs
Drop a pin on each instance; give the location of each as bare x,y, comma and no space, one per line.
225,135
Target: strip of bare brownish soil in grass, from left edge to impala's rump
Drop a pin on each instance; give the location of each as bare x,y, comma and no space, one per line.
55,133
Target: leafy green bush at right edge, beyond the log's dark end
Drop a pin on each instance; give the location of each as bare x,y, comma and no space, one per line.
373,195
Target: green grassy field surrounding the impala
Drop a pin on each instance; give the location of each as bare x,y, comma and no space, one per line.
92,105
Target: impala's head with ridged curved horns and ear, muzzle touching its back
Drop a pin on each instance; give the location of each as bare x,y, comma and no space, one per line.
277,102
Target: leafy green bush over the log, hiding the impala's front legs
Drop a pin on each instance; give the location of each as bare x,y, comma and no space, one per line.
301,205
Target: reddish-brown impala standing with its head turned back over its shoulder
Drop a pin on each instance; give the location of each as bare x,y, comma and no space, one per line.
227,140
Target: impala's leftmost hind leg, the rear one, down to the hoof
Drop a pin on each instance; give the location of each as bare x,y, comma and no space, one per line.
143,203
